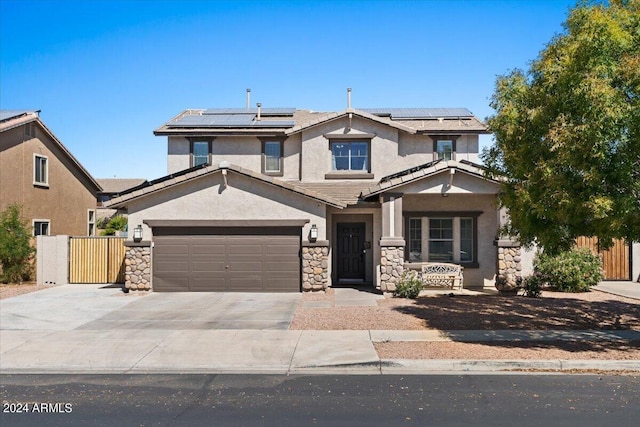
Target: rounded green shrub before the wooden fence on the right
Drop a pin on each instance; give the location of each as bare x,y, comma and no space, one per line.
574,271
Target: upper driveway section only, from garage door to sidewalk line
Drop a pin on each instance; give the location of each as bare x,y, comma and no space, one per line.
96,307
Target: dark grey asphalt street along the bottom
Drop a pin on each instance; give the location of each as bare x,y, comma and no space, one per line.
341,400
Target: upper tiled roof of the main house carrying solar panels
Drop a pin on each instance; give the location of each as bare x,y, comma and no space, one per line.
288,121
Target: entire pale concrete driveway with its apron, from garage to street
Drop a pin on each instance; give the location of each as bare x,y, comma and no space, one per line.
89,328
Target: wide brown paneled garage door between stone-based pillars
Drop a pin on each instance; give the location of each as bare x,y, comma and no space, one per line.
243,259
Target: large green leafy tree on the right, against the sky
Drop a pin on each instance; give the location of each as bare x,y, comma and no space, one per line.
567,132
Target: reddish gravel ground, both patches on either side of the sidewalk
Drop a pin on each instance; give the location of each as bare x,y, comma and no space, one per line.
554,311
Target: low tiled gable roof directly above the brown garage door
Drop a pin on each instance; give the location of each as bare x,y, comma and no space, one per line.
194,173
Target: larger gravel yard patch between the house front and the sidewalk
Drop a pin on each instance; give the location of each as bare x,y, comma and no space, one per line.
554,311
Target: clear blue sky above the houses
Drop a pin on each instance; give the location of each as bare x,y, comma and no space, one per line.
107,73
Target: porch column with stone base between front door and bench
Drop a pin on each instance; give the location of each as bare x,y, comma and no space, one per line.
392,243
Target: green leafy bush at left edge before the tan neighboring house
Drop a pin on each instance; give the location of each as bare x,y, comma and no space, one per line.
15,245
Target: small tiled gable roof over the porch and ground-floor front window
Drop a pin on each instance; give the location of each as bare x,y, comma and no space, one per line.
419,172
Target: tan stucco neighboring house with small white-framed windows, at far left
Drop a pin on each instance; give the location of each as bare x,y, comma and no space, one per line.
57,194
